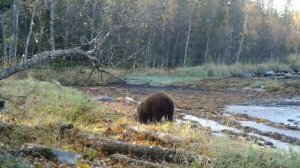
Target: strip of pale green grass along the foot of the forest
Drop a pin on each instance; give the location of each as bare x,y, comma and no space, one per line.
68,74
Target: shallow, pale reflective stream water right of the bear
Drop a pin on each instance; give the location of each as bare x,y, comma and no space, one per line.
282,118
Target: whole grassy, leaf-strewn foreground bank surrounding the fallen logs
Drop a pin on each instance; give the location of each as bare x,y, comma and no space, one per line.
36,109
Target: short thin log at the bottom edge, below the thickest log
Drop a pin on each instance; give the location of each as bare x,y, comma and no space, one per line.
135,162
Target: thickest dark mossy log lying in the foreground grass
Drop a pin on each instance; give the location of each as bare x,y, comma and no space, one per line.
154,153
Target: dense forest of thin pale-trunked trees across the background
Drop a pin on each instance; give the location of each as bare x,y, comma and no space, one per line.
156,33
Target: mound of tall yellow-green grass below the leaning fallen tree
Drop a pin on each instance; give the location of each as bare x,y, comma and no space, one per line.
34,100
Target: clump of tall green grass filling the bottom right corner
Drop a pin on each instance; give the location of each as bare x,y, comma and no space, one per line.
230,154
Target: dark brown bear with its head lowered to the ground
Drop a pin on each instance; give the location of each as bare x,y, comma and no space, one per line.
154,107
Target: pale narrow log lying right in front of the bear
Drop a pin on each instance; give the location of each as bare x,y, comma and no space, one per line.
165,137
